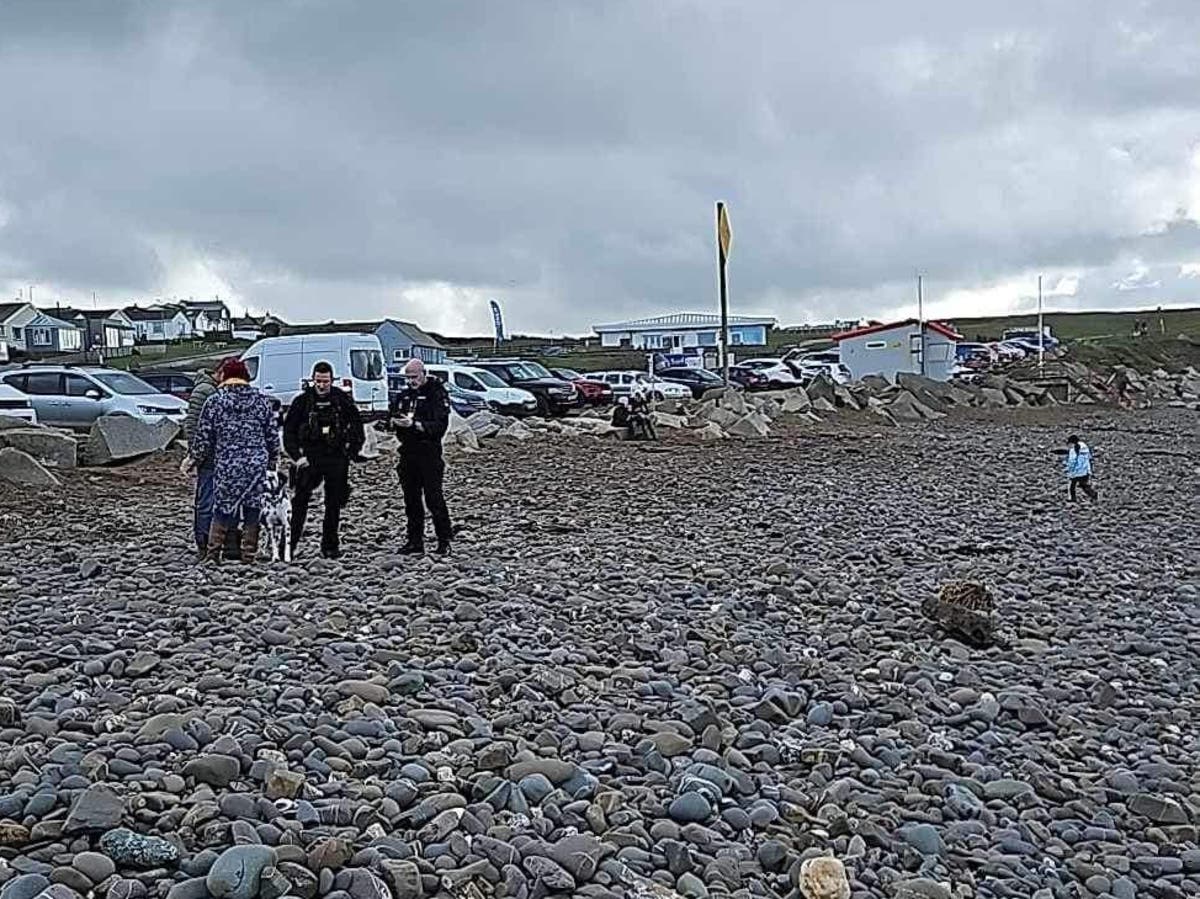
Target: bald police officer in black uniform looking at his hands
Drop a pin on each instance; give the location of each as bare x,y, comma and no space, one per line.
421,416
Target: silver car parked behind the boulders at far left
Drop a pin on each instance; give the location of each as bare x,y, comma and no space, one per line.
70,397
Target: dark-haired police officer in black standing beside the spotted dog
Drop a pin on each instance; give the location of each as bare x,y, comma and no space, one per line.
323,433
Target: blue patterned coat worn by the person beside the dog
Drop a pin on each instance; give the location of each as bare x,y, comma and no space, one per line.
239,435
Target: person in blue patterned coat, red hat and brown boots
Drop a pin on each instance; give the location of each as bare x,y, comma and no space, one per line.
238,431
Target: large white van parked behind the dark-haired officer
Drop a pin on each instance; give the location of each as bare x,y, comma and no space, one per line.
281,367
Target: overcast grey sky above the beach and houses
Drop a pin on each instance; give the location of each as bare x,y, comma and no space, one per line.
323,159
